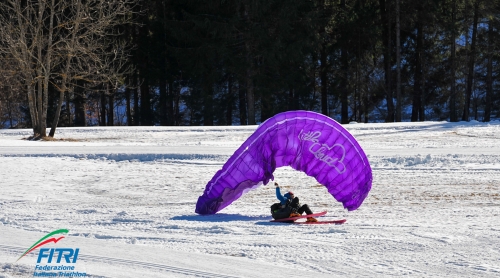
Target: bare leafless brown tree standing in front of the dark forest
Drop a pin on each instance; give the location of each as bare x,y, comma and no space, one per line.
56,43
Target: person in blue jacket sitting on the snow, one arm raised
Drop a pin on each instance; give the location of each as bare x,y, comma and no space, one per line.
289,206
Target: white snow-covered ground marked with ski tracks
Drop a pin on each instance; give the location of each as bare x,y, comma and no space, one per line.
127,196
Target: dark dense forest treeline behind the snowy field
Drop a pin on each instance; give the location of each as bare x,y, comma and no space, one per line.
188,62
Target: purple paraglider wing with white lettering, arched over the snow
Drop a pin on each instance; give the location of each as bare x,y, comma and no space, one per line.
306,141
